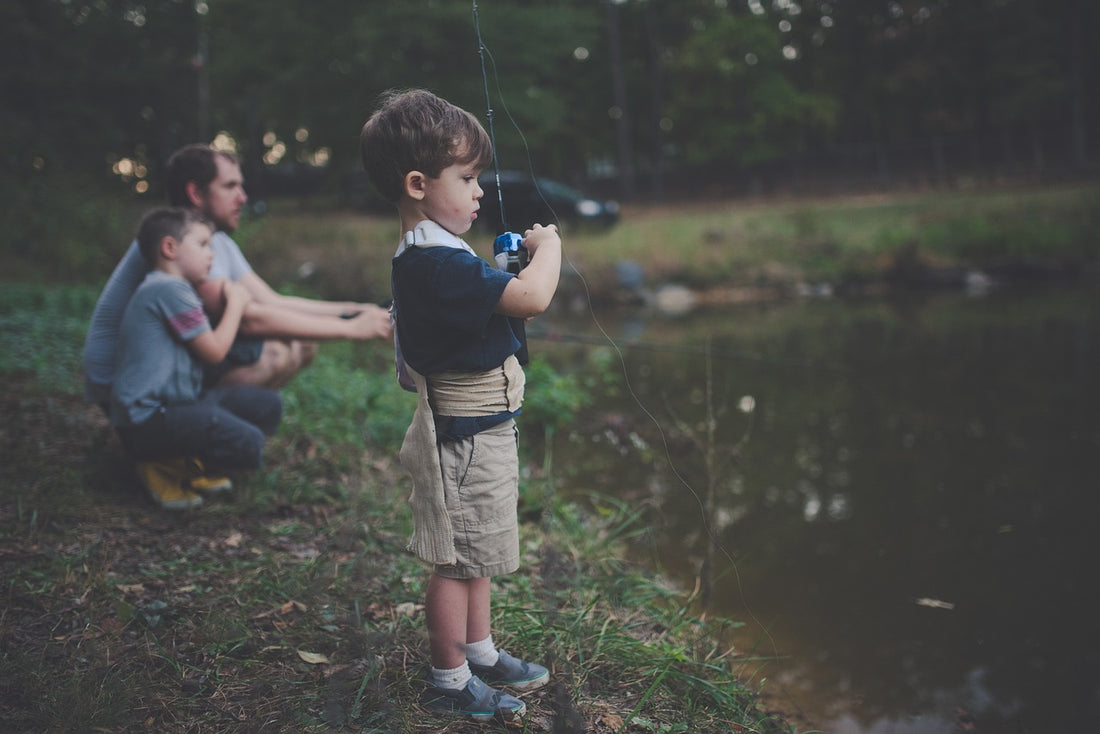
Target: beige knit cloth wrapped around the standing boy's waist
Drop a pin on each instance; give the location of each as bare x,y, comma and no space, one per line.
500,390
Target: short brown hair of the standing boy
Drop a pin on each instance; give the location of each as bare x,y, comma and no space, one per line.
415,130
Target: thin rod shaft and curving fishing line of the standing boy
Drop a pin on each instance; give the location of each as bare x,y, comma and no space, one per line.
483,52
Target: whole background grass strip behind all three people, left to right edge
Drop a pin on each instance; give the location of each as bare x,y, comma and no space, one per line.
707,245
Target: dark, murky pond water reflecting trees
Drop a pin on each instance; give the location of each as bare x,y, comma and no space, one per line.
904,495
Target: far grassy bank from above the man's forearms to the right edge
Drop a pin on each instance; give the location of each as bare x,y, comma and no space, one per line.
854,243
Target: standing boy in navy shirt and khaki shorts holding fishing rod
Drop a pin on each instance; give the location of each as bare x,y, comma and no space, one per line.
454,331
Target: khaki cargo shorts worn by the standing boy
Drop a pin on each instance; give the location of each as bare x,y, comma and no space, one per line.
481,480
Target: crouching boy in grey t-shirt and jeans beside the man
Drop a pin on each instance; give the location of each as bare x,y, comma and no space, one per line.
158,407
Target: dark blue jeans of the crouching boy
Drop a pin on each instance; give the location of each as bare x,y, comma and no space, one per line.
225,430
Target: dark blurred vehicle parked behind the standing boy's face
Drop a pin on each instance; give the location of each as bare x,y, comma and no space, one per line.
530,201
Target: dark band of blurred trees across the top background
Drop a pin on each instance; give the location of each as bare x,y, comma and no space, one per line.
580,90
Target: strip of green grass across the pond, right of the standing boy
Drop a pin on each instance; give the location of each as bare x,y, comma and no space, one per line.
745,244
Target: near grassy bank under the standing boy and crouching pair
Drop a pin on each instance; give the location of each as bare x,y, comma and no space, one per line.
294,607
